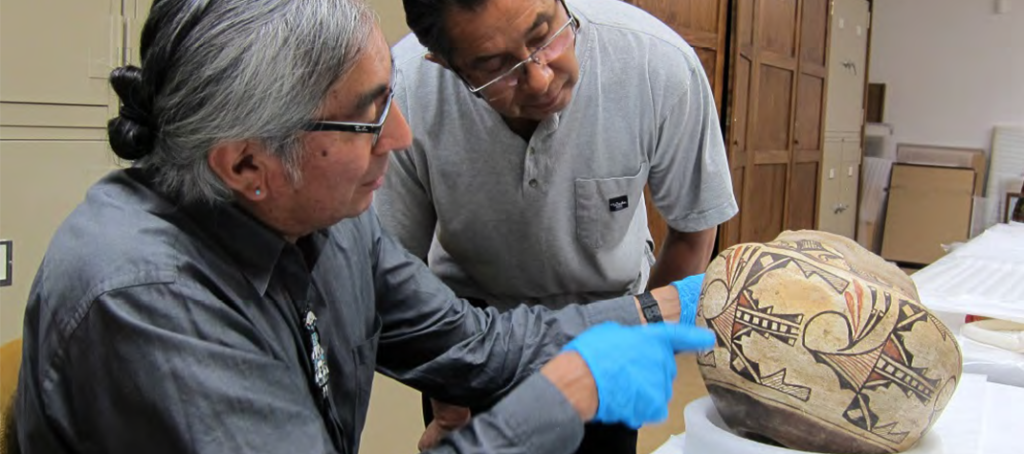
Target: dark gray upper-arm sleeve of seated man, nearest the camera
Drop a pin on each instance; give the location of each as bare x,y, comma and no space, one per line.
138,378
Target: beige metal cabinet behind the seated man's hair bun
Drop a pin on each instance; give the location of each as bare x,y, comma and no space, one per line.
55,104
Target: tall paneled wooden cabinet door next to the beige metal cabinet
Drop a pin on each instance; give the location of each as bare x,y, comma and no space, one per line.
778,99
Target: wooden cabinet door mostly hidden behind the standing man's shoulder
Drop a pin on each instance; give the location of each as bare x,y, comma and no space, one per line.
703,24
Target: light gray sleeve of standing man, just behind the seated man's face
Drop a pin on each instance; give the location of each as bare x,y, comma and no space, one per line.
404,202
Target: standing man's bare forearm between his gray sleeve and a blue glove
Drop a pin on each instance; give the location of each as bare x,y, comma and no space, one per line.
684,255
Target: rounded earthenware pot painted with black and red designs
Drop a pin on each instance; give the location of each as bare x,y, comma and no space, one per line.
824,347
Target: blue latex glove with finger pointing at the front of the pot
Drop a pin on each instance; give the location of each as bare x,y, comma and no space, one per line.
633,367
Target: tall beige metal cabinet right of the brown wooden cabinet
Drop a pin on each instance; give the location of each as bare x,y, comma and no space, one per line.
844,118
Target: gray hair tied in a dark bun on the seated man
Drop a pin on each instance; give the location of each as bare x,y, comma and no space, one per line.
231,70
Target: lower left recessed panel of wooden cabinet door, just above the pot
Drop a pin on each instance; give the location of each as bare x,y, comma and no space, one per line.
764,215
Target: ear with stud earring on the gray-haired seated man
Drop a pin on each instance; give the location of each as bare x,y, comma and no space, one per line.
243,167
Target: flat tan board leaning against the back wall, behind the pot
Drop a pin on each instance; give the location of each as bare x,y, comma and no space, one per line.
928,208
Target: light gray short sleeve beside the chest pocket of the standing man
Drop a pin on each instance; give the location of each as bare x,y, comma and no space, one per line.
690,179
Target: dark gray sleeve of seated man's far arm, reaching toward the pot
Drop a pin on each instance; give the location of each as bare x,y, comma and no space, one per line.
441,345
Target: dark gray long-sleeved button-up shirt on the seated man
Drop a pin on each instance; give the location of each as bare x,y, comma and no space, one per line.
156,328
